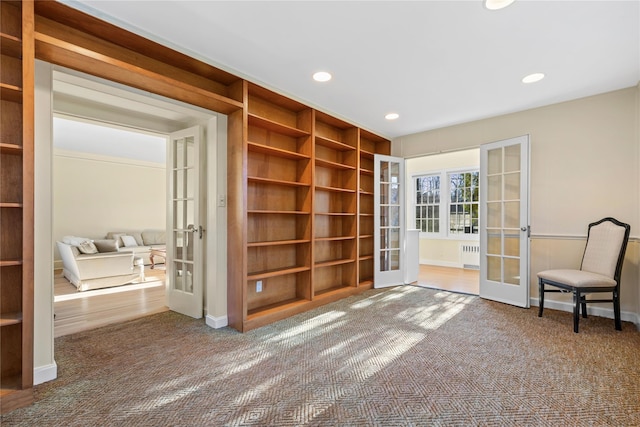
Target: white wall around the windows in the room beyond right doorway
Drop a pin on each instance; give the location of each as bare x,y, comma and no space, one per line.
442,251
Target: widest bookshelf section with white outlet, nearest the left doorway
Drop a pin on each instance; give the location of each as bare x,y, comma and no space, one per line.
279,171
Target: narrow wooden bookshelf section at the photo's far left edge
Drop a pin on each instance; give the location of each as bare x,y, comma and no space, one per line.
16,204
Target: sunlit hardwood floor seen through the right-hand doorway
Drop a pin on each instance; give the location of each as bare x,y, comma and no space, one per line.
450,279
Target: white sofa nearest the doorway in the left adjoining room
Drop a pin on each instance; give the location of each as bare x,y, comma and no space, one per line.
97,270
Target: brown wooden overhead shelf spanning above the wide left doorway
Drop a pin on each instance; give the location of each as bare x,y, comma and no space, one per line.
62,37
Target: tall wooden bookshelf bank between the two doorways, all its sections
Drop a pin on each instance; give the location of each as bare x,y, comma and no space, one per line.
301,199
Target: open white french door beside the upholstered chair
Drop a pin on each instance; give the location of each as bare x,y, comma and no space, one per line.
504,221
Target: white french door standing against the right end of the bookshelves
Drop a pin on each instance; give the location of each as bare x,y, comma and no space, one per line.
388,221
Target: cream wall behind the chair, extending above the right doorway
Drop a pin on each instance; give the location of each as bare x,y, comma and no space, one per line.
585,165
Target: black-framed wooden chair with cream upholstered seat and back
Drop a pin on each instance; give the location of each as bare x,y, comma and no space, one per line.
600,270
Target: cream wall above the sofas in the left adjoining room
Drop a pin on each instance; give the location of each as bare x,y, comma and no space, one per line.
96,194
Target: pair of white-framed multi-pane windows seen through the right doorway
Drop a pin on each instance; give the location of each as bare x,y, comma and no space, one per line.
456,214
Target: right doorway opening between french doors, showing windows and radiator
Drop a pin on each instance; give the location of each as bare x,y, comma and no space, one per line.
443,204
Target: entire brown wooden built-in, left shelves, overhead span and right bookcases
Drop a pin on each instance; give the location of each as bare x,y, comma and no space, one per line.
299,182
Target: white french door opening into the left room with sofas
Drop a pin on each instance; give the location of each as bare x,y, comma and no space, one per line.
185,156
